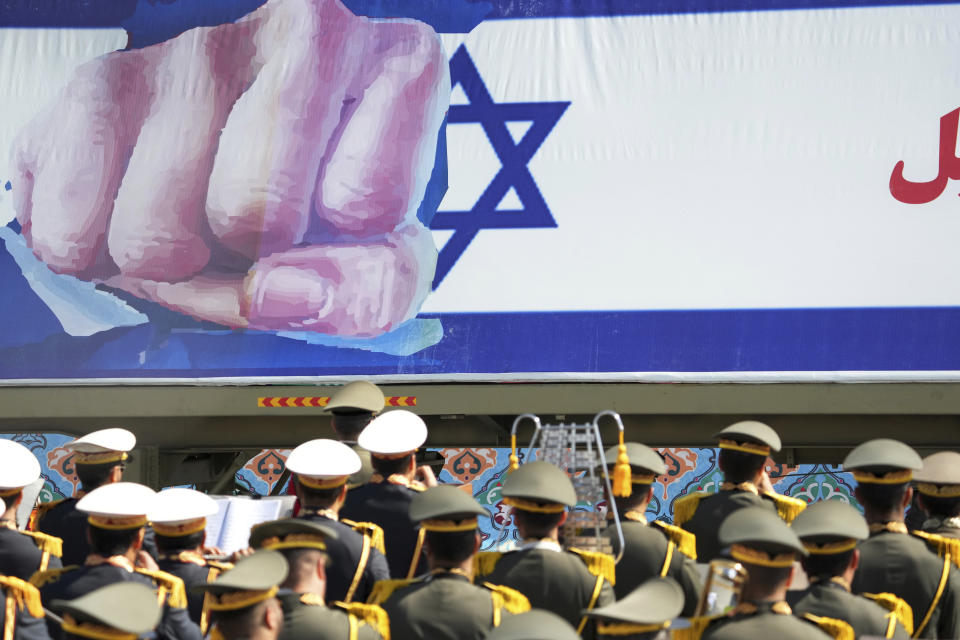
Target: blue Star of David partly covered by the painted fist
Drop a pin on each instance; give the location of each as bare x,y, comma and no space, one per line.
513,156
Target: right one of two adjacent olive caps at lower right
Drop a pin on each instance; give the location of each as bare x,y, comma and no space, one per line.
830,526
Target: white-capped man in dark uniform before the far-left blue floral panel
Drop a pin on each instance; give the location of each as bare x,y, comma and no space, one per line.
99,459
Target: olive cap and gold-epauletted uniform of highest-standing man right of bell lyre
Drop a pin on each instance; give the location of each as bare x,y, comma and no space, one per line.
699,513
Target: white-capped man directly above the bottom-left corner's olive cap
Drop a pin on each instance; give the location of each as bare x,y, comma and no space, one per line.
116,516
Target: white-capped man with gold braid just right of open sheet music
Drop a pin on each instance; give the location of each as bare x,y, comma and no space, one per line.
321,470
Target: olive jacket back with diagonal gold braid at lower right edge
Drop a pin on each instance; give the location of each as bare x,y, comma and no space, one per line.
903,565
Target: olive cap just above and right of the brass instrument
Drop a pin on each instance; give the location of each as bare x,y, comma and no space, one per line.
758,536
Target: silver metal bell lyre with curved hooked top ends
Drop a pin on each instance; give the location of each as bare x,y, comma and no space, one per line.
578,450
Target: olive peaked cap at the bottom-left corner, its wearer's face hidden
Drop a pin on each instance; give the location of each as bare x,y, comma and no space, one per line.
127,607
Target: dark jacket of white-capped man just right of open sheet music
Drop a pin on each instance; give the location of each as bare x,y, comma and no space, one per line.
346,558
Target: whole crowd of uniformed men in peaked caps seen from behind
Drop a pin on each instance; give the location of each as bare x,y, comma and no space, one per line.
377,550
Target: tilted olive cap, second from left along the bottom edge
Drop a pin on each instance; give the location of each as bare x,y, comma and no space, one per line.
251,581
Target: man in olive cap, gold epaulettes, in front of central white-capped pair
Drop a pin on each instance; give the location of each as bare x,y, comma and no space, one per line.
445,604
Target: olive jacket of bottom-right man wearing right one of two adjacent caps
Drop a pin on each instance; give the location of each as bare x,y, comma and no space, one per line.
832,599
